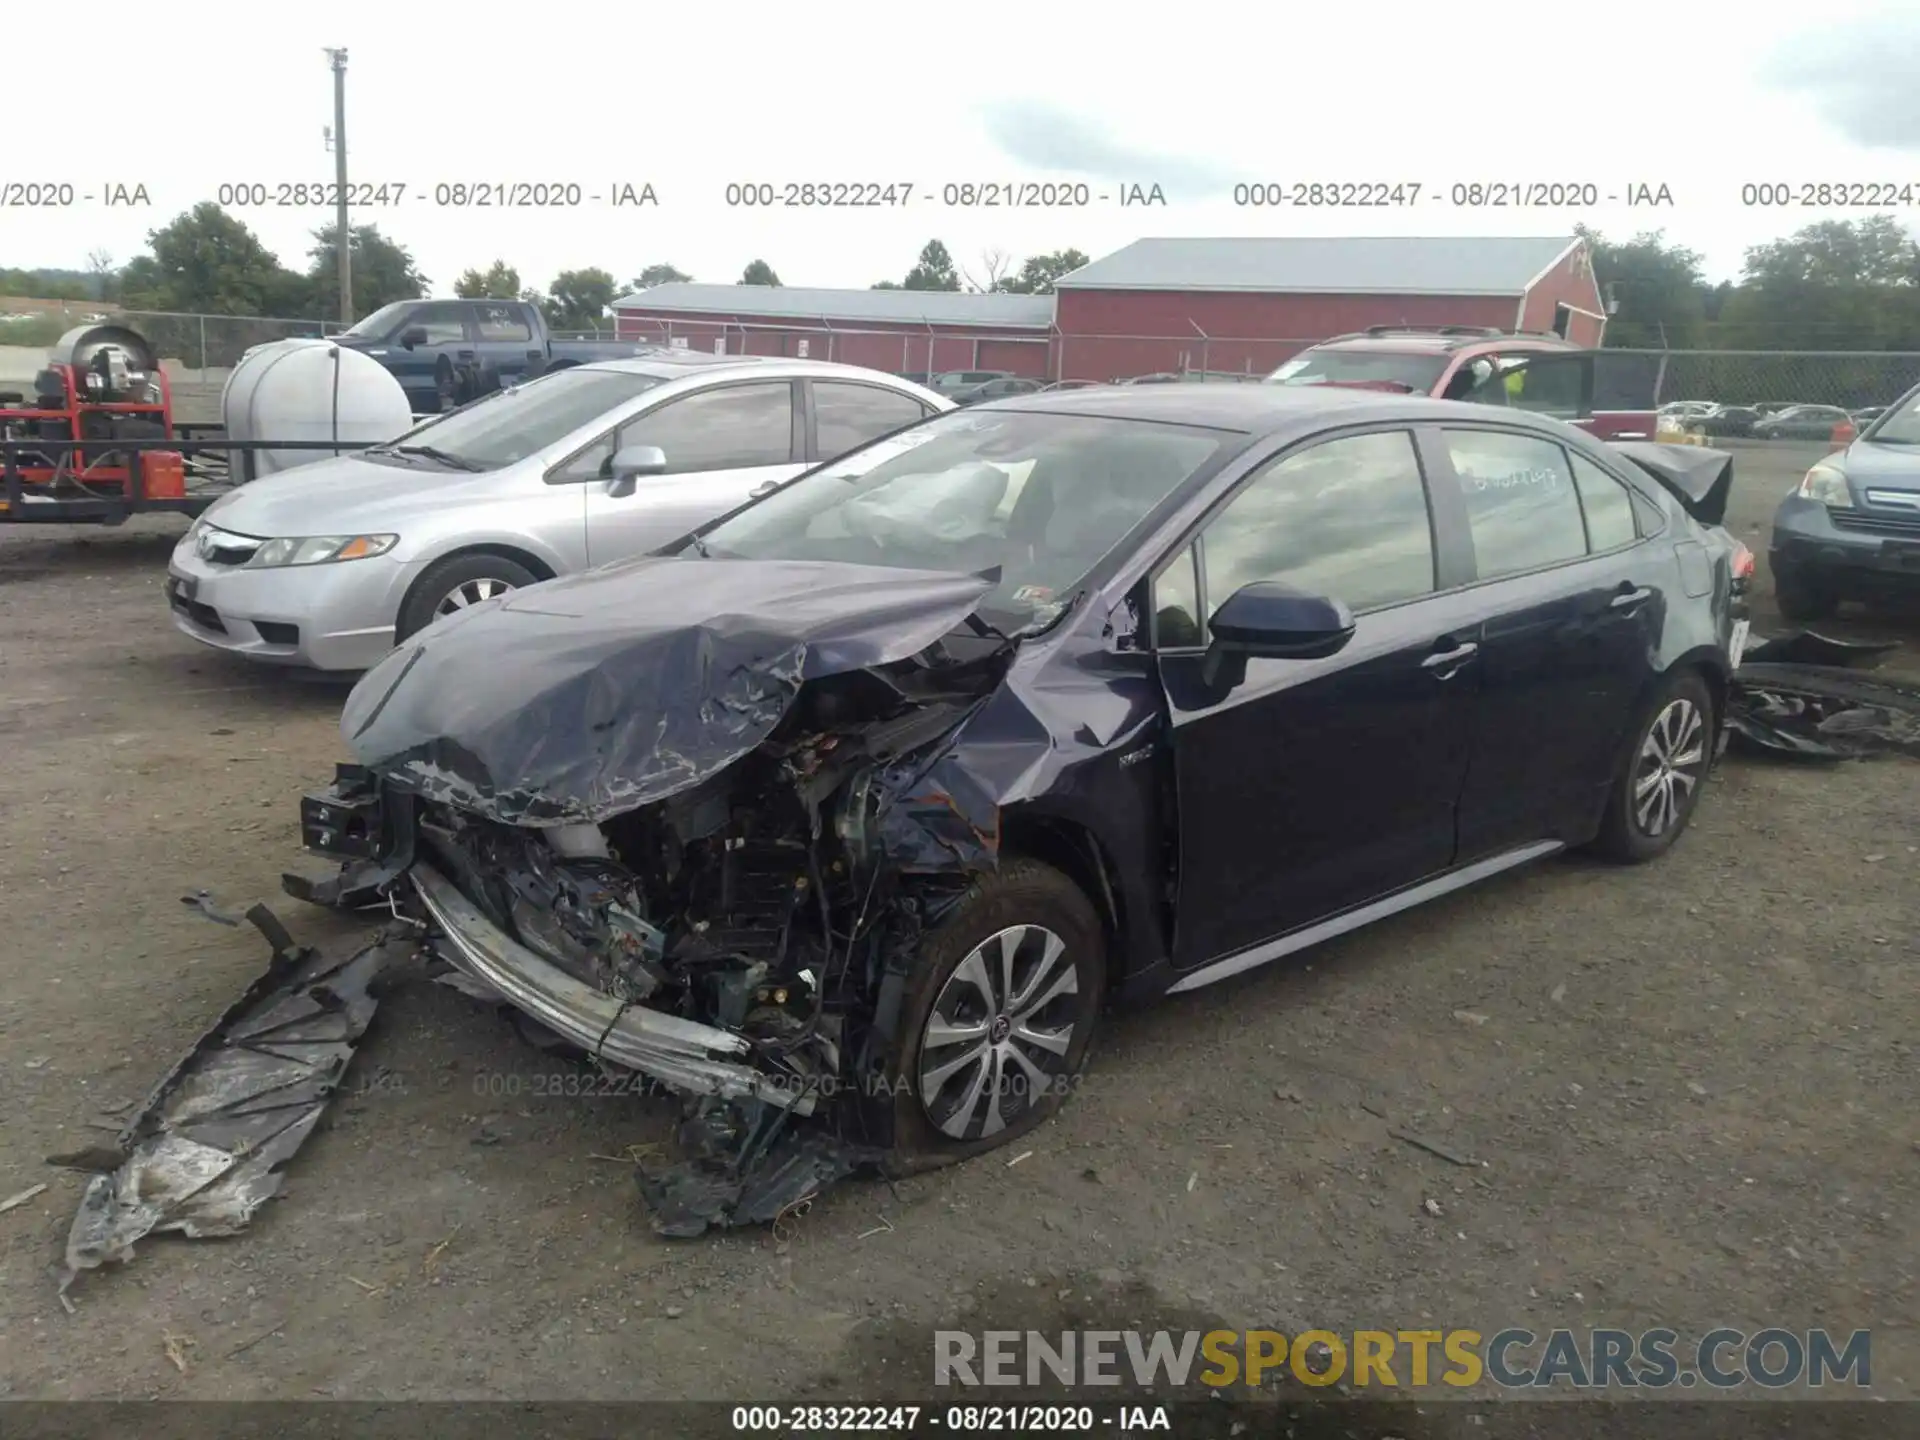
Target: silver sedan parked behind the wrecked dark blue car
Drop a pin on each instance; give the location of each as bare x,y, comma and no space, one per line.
335,564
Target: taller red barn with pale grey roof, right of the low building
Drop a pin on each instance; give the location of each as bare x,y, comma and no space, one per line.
1245,306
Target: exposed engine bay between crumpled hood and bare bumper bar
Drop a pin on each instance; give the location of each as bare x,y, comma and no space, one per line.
750,901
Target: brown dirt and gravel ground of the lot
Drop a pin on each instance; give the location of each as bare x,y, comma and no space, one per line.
1692,1088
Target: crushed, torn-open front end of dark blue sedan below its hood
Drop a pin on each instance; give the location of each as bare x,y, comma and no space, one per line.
742,940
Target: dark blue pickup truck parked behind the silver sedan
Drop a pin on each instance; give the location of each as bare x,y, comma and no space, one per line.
446,352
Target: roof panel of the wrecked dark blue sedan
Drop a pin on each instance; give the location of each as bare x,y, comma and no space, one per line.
1260,410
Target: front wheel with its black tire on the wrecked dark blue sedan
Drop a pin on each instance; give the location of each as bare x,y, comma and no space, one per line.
999,1019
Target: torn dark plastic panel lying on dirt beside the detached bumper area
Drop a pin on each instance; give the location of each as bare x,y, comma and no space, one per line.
206,1149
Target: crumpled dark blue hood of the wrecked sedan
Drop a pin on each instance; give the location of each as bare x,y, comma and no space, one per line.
590,696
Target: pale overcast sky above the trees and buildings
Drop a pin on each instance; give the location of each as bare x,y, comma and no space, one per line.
1700,99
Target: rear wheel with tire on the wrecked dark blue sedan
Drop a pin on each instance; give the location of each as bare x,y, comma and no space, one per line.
1666,771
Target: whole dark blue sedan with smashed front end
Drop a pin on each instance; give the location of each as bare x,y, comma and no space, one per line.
850,817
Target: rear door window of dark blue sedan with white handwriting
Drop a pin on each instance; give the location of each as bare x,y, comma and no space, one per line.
1522,502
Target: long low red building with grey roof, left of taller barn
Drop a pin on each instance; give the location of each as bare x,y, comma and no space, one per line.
898,331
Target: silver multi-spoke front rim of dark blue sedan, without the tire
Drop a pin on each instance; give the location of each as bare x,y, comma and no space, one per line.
999,1034
